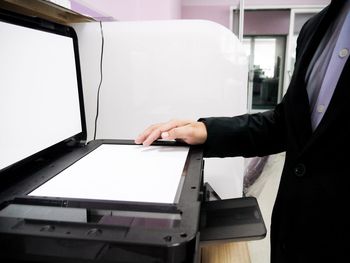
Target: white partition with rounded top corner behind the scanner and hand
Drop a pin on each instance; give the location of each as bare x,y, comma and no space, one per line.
155,71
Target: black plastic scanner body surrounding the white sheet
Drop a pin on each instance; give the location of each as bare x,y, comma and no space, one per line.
175,242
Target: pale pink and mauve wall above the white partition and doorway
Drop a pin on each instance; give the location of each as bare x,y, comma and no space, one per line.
214,10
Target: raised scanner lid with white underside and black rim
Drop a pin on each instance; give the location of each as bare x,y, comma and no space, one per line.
41,97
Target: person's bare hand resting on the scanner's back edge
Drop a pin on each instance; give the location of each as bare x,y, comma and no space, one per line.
191,132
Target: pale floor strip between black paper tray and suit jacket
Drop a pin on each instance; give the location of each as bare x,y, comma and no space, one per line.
265,190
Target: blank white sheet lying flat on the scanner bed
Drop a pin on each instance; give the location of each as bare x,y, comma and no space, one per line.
121,172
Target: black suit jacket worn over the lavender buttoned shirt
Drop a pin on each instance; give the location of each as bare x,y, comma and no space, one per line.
309,223
